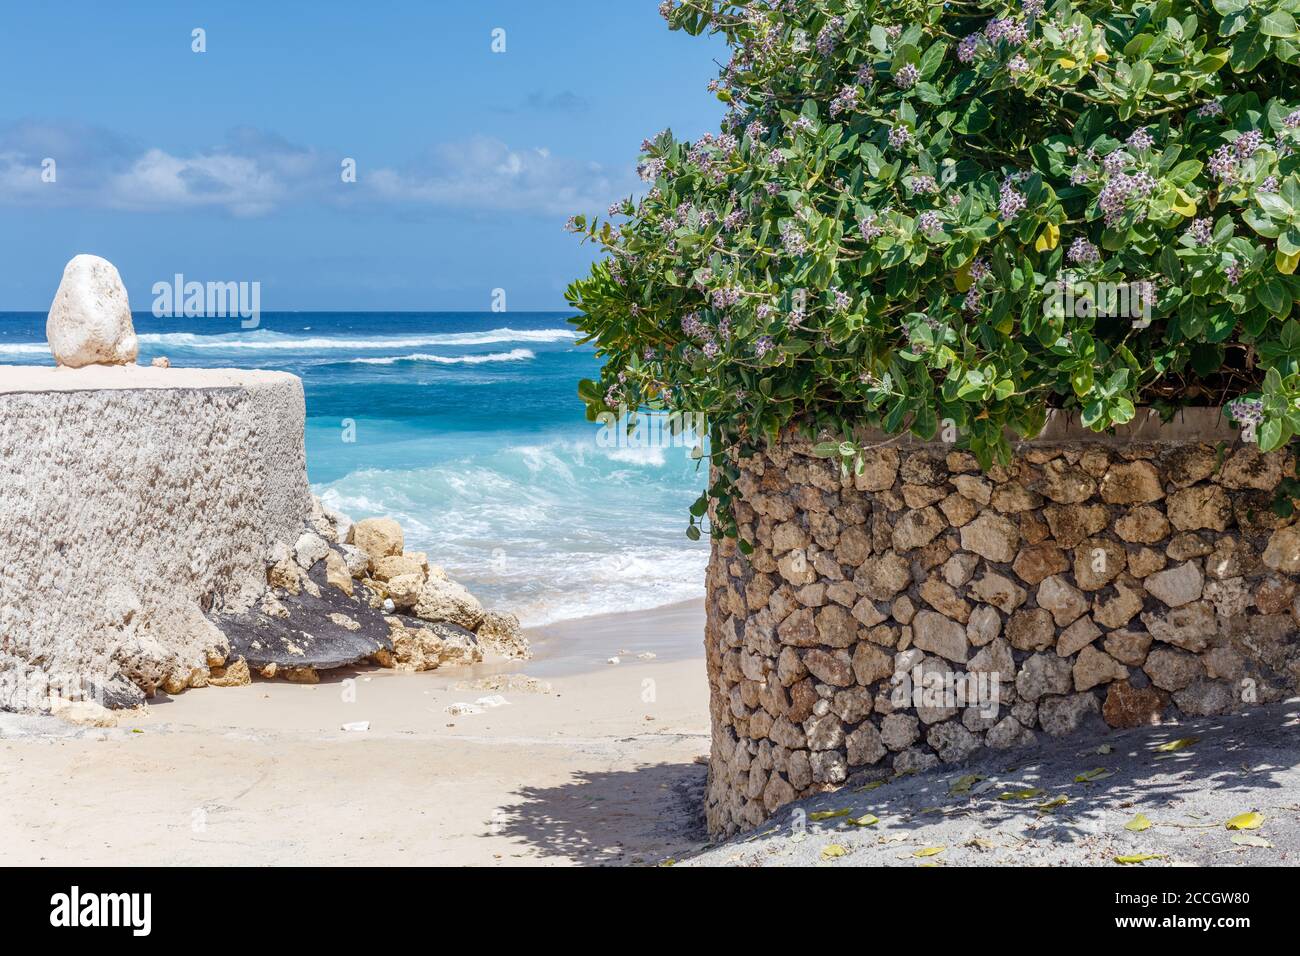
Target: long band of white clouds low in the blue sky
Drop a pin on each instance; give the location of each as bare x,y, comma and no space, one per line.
255,174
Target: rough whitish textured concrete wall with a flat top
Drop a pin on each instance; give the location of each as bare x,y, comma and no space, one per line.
132,501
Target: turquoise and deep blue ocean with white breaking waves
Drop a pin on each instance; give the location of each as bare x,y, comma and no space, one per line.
467,429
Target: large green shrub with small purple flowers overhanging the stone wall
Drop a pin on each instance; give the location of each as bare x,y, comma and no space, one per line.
915,211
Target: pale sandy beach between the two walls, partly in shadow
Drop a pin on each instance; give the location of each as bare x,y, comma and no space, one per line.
604,769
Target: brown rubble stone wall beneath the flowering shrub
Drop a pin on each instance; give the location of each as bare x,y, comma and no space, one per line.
913,613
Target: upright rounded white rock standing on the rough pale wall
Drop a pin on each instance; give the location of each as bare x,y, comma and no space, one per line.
90,321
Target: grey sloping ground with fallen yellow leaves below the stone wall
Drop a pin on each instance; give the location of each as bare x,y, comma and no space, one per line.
1247,763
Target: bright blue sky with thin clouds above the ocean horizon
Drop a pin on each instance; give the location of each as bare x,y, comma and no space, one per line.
226,166
